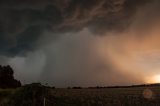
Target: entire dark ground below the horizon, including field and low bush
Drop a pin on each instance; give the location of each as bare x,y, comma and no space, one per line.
33,95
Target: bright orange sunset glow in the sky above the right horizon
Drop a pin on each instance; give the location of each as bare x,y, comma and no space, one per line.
133,56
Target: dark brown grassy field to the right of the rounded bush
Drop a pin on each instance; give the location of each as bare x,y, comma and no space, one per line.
103,97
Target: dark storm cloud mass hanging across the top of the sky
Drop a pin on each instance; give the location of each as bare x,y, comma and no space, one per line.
23,21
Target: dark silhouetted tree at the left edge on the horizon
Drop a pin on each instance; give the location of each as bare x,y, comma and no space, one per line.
7,79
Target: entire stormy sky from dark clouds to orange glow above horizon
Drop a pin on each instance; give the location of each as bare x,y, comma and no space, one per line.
81,42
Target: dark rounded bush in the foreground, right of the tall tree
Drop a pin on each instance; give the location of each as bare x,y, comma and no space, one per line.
29,95
